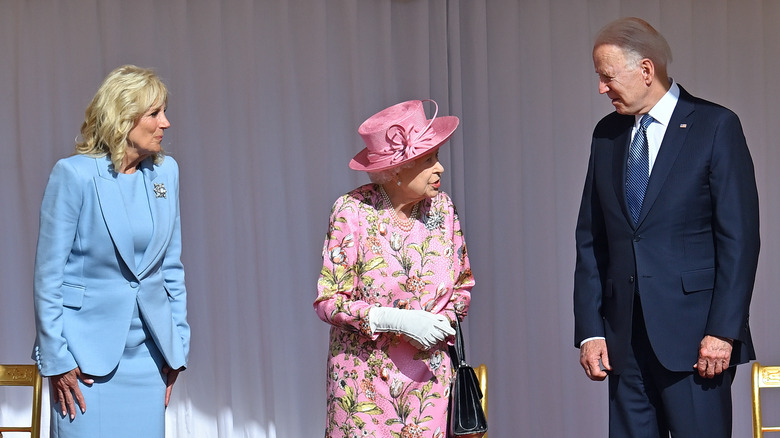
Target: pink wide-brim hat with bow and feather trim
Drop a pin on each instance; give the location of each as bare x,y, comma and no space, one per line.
399,134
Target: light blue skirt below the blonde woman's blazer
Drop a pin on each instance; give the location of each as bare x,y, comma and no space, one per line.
129,402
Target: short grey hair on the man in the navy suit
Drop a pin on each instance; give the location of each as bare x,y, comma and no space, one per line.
638,40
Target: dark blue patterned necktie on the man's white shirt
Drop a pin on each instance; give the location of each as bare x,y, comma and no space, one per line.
638,168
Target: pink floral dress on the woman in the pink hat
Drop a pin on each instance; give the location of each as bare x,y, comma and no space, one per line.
380,385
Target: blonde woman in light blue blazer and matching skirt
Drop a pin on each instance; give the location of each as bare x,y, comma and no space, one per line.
110,301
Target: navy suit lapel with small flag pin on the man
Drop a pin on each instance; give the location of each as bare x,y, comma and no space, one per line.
672,143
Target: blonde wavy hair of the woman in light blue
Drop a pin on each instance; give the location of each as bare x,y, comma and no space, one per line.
125,95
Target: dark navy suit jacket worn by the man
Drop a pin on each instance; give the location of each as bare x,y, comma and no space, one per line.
693,255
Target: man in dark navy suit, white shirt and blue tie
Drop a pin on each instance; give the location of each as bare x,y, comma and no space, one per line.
667,246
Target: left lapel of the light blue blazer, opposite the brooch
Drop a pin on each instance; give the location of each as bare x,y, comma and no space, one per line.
114,212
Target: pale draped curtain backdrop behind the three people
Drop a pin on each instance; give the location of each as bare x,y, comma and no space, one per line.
266,97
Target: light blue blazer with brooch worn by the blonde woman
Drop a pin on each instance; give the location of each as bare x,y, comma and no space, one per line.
86,279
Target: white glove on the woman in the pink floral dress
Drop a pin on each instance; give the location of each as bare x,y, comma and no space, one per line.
425,329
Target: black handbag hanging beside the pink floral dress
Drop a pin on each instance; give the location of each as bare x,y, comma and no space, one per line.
467,420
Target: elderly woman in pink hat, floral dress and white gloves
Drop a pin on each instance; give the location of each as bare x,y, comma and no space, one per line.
395,276
